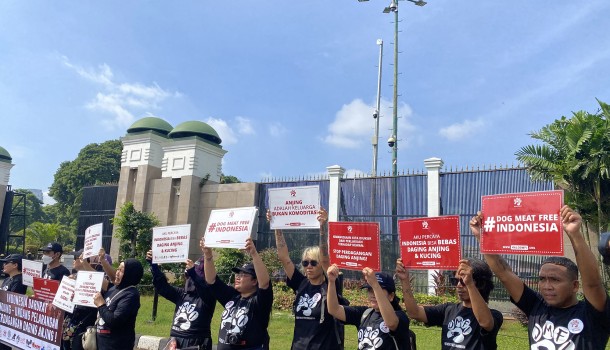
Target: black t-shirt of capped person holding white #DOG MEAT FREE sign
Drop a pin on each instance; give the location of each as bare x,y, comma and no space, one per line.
244,321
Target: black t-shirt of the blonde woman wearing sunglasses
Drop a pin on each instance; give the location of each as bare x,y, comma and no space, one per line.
311,330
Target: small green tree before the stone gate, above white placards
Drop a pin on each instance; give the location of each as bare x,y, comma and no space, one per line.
134,229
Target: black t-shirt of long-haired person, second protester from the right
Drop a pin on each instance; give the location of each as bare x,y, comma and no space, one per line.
460,327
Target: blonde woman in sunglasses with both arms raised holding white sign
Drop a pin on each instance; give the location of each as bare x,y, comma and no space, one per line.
314,327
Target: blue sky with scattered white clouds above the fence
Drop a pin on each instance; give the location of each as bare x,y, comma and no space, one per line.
291,86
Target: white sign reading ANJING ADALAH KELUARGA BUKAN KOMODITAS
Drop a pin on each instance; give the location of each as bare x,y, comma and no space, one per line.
294,207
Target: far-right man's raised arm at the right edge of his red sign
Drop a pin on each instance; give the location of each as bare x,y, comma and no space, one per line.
592,286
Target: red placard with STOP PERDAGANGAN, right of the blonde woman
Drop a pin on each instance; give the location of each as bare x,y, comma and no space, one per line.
354,245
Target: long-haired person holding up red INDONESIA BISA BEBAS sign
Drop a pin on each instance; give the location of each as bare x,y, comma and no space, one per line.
469,324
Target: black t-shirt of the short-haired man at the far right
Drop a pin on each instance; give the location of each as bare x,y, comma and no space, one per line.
575,327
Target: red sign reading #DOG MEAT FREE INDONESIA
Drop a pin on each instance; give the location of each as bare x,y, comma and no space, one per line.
523,223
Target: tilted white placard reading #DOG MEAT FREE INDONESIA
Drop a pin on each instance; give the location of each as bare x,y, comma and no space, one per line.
229,228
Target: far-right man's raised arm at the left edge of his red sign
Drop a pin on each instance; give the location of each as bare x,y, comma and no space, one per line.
513,284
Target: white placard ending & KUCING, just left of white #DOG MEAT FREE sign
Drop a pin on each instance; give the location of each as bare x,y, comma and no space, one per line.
171,243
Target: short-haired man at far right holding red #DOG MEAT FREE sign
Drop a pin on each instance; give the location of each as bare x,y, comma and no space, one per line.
556,318
